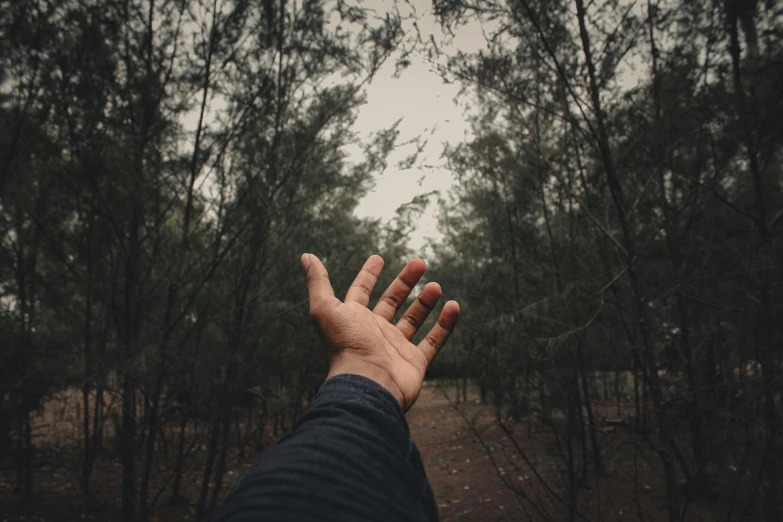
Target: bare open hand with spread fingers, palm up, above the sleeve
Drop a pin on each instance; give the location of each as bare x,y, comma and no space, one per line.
364,342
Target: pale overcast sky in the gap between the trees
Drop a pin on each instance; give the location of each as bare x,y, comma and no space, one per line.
427,107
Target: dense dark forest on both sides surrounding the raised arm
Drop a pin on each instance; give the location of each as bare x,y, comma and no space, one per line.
613,239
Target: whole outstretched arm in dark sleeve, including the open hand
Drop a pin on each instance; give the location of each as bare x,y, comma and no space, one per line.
350,457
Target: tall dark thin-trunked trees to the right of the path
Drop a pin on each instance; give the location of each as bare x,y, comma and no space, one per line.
615,239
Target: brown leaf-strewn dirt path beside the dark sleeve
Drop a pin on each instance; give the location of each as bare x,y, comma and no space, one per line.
466,484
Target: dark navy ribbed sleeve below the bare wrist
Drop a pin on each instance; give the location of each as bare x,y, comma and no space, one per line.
350,457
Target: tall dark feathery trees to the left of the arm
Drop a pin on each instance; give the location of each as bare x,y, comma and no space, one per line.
164,164
